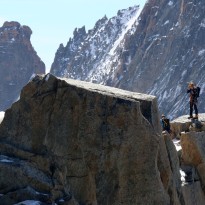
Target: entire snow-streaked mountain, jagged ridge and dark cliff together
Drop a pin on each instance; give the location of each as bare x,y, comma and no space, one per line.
156,51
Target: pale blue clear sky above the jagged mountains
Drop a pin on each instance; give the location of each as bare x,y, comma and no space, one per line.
53,21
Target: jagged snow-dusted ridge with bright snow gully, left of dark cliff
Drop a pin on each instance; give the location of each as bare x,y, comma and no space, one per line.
91,56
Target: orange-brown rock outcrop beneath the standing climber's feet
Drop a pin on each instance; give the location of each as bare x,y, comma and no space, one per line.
192,157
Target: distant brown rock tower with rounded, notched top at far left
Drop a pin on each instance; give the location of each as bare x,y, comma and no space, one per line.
18,61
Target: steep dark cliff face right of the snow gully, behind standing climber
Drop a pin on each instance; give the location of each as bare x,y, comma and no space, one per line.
169,52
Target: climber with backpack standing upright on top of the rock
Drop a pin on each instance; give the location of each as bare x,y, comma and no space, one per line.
193,90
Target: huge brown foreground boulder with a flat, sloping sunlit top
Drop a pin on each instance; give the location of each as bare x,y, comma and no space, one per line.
72,142
